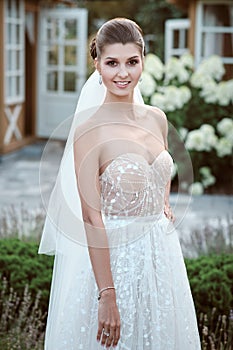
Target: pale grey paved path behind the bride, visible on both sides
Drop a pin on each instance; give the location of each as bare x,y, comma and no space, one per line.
19,184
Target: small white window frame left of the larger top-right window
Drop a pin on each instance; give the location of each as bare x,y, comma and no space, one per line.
172,25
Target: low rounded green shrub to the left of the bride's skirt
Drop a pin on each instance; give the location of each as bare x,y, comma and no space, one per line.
21,265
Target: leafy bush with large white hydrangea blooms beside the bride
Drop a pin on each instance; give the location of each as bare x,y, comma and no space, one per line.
199,105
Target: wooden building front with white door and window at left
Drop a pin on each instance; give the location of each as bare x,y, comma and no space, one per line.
42,65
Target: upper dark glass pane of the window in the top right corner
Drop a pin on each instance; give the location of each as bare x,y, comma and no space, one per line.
218,15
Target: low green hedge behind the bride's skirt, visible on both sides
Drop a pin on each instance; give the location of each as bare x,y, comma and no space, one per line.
211,277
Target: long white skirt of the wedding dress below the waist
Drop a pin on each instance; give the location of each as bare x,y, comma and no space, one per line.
153,293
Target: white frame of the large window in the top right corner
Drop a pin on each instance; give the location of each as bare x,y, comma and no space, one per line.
201,29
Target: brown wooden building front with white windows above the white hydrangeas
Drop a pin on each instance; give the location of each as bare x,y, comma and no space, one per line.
207,31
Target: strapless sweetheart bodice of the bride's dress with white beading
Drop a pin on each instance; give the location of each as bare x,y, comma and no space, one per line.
130,186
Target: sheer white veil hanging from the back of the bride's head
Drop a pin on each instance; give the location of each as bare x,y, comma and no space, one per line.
64,216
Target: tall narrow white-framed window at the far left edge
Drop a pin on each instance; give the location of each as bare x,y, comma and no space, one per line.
13,46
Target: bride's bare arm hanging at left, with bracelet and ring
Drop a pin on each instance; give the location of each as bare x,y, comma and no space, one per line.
86,158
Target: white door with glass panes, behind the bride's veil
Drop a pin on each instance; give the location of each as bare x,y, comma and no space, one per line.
61,67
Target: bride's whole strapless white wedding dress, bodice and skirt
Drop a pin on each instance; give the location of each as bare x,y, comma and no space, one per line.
153,293
